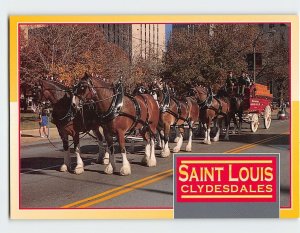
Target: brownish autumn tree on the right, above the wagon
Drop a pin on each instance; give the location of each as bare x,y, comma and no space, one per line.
208,52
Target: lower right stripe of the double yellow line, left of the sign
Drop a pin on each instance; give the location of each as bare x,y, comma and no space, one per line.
128,189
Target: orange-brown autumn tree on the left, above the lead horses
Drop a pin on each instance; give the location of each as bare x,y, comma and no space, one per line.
69,50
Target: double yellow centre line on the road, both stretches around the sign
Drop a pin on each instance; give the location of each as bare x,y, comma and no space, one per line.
115,192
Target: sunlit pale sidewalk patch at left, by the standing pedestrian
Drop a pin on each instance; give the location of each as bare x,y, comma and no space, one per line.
33,135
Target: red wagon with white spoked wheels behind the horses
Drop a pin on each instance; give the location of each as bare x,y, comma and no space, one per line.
257,104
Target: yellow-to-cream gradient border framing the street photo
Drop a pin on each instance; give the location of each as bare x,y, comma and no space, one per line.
16,213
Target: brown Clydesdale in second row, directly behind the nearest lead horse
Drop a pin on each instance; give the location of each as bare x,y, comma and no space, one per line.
174,112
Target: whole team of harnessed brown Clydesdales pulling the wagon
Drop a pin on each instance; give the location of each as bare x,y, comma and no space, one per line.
94,104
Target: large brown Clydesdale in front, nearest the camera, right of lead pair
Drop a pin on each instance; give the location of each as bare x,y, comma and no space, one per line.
120,114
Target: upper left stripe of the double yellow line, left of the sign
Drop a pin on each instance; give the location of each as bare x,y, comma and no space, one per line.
116,189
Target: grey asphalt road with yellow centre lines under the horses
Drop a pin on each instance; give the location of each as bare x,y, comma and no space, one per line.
44,186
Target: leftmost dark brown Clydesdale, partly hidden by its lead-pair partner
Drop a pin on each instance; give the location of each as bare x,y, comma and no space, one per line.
68,122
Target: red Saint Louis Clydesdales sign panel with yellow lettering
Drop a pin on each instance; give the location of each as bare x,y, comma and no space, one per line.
226,179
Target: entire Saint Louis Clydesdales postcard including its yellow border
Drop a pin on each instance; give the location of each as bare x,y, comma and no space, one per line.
154,117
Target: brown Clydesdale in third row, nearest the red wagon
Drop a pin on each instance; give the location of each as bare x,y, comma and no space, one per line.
212,110
